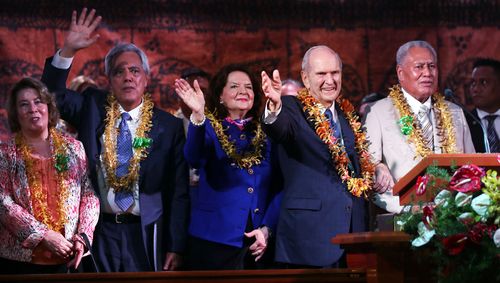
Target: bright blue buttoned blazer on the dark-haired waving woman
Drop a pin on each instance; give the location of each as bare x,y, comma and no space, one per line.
226,194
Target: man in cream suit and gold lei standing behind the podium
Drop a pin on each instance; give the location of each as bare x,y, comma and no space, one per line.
412,122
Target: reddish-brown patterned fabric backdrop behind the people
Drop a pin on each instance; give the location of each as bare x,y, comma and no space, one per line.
263,34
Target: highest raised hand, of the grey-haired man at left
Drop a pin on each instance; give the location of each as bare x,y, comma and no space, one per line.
80,32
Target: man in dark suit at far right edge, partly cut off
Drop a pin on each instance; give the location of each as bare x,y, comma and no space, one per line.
485,90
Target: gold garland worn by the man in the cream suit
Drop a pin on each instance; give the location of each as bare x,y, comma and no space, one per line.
443,118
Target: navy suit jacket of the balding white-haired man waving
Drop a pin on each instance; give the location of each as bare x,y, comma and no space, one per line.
316,205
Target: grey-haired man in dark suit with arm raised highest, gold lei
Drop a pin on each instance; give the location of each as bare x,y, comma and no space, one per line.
134,152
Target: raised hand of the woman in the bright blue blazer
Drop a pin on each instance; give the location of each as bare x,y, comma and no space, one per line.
193,98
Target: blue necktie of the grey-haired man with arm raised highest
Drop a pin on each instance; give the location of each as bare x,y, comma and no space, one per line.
124,153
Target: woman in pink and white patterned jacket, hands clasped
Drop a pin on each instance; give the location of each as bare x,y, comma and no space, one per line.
46,198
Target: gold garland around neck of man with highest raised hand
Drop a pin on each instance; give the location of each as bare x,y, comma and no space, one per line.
139,152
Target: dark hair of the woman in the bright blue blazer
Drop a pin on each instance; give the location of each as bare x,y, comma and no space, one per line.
218,83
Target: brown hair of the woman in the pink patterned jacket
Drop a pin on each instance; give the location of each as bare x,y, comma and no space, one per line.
45,96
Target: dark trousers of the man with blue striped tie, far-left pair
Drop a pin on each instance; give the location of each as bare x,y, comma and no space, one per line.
120,247
